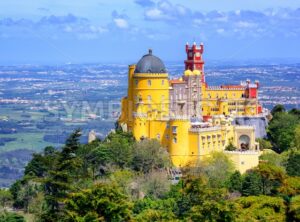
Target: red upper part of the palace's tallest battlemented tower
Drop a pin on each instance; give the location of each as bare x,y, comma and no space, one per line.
194,59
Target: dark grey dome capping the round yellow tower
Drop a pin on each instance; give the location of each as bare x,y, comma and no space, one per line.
150,64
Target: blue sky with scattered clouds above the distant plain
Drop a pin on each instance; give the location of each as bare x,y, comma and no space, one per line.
76,31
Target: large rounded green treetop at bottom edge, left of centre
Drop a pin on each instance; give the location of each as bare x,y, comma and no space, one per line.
104,202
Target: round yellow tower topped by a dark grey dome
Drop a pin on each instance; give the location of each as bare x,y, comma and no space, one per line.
150,91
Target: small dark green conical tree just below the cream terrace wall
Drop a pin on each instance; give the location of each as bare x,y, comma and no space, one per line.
251,184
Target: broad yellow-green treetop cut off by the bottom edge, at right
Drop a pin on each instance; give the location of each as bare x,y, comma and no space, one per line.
261,208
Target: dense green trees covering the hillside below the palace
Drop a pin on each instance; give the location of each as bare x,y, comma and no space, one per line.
120,179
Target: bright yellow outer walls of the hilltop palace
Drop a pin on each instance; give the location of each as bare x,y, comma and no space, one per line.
145,113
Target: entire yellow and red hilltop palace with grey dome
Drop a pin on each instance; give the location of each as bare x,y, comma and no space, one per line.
190,118
